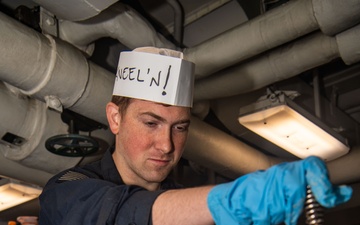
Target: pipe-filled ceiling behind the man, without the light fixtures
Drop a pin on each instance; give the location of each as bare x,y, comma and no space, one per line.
241,49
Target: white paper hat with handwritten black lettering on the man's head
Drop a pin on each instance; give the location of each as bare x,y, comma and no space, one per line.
155,74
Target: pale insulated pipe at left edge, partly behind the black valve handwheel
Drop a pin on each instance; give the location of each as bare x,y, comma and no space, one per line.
32,123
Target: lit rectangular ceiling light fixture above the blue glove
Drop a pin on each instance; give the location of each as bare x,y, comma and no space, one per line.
279,120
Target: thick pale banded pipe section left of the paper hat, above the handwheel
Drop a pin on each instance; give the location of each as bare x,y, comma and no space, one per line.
47,68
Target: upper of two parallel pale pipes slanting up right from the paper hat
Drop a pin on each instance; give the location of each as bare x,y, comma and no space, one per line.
274,28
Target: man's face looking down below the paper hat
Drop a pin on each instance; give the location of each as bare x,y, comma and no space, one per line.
150,141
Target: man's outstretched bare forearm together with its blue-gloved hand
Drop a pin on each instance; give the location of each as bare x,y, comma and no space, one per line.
269,197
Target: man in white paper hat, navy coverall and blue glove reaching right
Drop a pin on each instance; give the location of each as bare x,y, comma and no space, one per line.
150,117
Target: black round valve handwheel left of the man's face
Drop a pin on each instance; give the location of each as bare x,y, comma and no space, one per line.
73,145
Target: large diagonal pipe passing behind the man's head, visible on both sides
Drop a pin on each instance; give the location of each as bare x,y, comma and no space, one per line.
27,79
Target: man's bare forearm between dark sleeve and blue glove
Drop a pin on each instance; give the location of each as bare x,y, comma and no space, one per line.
182,206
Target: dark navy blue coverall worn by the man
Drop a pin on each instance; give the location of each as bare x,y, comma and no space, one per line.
95,194
